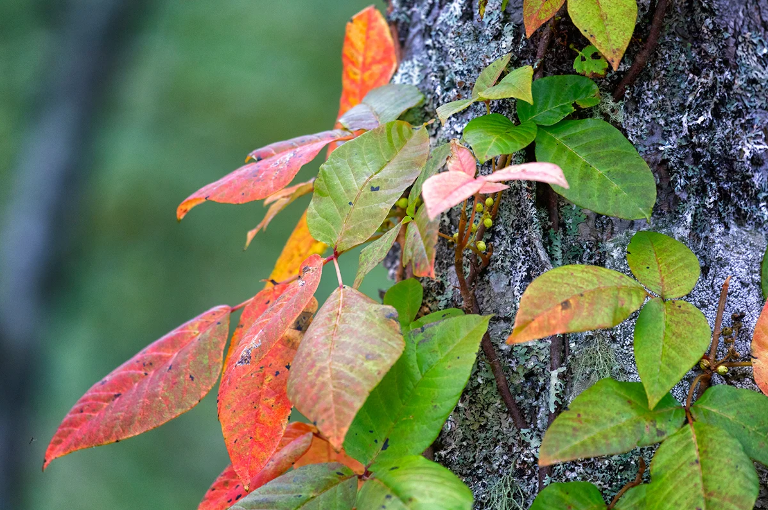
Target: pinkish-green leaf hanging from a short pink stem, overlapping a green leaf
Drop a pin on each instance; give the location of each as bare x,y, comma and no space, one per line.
346,351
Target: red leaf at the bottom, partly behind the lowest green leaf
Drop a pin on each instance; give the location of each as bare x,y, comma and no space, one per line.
227,489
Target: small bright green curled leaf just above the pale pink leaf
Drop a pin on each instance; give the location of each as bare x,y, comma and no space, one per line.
494,134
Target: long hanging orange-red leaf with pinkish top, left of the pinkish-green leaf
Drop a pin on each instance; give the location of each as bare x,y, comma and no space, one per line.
253,405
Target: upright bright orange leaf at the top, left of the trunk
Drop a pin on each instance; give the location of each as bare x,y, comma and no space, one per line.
369,58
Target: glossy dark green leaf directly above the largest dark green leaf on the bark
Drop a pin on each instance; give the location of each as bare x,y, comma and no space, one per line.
553,98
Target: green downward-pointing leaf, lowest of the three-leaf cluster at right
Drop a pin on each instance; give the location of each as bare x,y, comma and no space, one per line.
670,338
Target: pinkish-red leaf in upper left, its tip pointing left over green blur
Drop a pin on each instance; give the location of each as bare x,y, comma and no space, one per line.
260,179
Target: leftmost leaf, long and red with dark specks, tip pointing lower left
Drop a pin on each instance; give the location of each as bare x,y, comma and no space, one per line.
164,380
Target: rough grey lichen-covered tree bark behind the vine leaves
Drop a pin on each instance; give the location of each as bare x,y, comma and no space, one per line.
698,114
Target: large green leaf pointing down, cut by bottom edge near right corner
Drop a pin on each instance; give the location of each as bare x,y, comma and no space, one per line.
701,467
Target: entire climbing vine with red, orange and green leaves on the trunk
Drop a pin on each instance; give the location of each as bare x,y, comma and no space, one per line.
377,381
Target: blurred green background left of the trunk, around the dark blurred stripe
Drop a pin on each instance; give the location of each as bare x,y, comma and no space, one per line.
188,89
